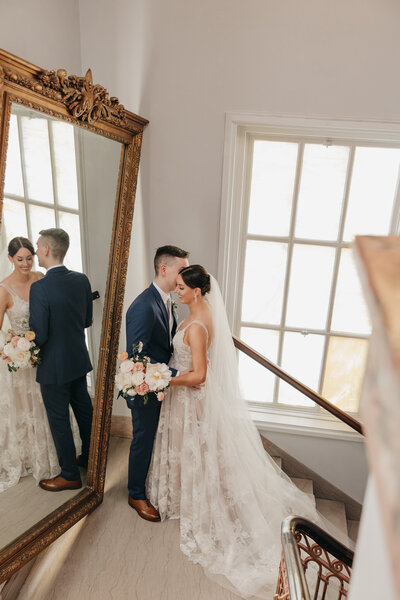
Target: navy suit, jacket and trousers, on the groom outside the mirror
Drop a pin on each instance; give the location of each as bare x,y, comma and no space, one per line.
146,321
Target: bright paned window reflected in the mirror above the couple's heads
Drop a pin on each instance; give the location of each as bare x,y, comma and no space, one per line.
41,190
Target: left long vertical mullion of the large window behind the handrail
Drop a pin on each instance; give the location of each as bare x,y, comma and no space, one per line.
289,261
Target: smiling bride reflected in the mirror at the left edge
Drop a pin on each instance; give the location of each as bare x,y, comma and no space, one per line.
26,444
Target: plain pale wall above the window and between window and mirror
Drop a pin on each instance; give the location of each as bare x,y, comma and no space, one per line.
193,61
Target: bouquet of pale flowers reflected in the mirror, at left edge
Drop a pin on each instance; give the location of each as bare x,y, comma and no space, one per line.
19,350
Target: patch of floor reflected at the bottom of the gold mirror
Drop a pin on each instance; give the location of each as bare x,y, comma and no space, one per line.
25,504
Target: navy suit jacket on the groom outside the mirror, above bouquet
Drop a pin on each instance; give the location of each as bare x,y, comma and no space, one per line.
147,322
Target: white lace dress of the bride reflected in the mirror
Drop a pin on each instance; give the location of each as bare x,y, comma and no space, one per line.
26,443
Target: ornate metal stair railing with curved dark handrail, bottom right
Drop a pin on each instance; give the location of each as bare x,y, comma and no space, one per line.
306,545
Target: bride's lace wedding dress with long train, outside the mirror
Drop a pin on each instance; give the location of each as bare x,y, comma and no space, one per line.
229,495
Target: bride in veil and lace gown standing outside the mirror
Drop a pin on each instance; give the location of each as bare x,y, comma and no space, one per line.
209,467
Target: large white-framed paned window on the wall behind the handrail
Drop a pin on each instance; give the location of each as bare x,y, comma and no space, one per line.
295,197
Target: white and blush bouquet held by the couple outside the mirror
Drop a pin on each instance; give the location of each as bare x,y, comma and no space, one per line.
139,376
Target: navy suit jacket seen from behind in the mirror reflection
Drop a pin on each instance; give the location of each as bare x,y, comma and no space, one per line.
60,307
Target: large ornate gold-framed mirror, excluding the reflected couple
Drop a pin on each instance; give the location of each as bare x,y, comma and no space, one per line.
69,157
